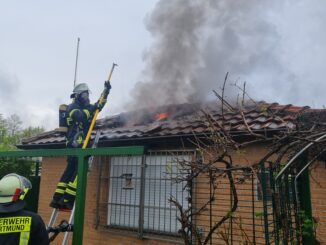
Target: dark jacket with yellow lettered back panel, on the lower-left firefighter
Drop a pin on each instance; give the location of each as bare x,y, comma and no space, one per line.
22,228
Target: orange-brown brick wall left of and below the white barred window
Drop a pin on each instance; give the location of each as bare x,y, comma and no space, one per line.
52,168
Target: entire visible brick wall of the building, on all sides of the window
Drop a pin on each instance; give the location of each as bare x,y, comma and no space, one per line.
52,169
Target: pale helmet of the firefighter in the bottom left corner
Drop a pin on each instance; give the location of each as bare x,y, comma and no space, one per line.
13,189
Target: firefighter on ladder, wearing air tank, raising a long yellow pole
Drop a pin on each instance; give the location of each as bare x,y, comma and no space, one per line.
79,115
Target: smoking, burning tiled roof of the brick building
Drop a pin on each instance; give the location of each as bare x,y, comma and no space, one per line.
182,120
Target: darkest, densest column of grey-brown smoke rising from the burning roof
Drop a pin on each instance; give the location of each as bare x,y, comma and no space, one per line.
174,57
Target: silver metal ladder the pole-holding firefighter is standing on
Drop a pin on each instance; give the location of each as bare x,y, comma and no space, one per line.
55,211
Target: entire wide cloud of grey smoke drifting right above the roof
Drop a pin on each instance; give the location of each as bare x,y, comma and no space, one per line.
195,43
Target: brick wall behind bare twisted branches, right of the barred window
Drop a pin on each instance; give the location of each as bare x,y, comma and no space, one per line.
247,221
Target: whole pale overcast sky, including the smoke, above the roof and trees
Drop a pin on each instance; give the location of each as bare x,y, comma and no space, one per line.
167,51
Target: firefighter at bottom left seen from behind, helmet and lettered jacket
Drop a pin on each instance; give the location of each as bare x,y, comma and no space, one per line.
18,226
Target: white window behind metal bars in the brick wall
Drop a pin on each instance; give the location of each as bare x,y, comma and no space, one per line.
142,190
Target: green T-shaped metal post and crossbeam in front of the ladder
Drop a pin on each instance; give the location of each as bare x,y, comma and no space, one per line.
82,155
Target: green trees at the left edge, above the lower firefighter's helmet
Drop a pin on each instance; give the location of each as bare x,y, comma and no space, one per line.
11,134
